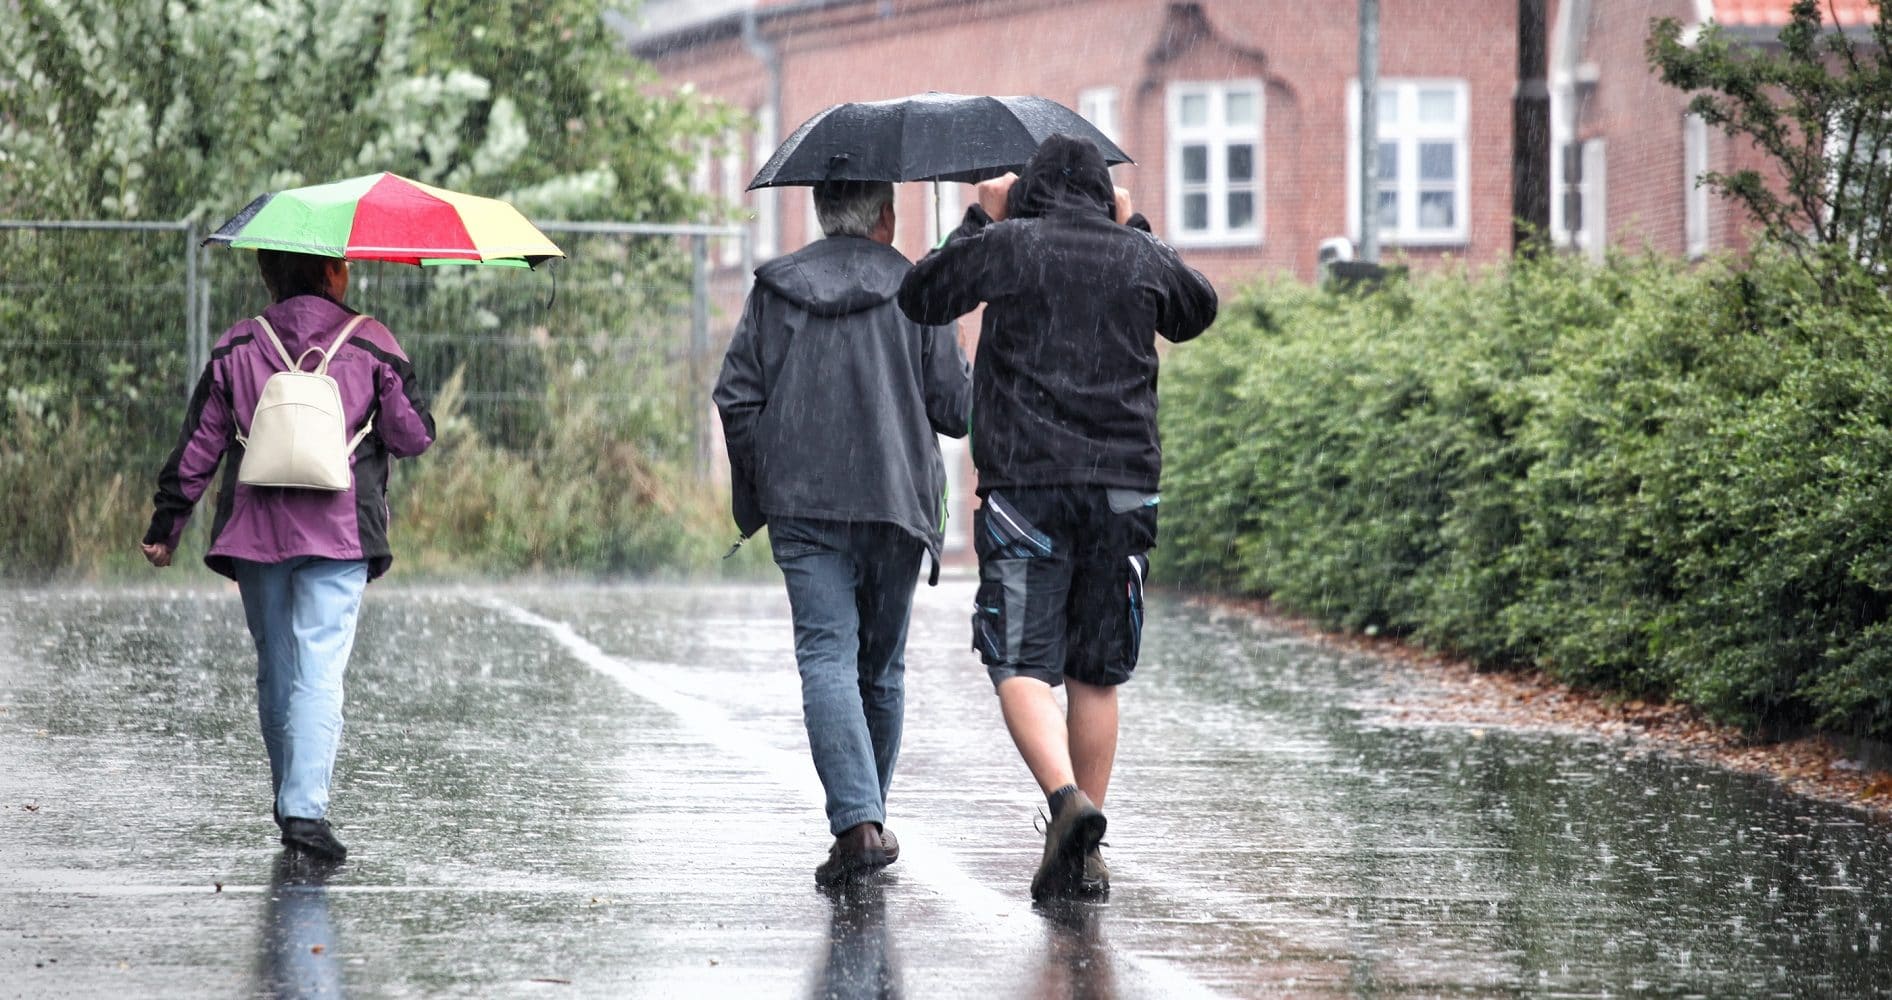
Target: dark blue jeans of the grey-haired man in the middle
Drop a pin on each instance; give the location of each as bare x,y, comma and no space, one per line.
850,591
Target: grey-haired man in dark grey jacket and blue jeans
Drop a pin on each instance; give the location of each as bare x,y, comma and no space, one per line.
832,402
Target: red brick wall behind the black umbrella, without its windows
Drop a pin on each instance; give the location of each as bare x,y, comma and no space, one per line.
1059,48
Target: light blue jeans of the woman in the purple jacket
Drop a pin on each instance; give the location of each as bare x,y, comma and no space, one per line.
302,615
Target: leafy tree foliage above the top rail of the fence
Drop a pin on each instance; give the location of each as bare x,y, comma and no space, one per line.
188,109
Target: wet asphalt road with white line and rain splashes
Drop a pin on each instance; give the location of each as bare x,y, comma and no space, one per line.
603,791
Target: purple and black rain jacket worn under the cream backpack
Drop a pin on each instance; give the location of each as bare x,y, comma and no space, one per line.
273,525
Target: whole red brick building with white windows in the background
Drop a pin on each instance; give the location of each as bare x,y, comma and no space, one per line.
1242,114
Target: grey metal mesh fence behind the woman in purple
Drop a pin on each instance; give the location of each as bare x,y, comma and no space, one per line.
105,330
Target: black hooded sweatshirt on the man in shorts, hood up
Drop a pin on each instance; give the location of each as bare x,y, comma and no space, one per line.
1064,383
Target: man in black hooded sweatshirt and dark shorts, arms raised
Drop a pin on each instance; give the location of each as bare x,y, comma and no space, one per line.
1064,402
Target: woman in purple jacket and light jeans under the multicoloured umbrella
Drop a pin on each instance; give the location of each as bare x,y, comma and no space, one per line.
300,557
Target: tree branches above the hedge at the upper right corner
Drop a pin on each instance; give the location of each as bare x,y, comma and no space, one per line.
1819,105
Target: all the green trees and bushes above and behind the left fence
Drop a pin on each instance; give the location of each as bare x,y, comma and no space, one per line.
164,111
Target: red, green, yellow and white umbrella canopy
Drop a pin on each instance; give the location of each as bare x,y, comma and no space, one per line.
389,218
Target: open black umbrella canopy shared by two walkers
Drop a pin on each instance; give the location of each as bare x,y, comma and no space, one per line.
926,137
